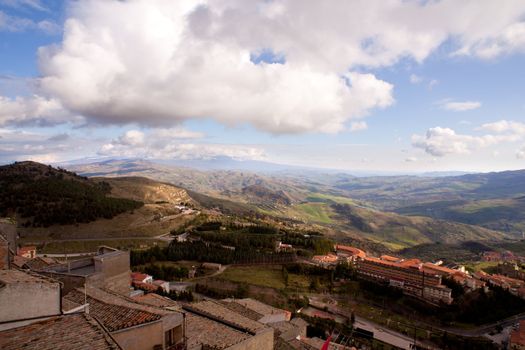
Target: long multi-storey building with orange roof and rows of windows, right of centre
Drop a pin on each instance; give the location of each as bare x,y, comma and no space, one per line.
408,275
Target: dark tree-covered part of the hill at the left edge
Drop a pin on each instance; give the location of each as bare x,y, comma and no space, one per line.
41,196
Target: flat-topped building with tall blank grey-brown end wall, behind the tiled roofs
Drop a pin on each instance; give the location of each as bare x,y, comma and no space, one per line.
108,269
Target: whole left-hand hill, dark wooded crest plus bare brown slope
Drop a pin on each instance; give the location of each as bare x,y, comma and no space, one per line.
51,203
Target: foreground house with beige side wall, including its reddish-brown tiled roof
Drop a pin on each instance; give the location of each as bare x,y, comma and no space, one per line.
133,325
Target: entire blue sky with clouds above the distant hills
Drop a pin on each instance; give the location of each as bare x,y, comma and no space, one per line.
377,86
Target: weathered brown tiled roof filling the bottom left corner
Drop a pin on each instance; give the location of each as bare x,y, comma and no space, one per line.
75,331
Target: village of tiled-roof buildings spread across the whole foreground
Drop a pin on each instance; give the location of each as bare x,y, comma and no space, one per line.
112,299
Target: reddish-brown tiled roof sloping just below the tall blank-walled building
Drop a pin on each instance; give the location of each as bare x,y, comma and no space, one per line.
113,317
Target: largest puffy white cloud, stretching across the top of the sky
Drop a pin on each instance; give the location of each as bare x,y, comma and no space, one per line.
160,62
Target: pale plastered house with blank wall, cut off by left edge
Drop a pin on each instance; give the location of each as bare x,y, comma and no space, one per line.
26,297
